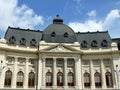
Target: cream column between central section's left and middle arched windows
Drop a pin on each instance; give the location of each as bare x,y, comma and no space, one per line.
54,74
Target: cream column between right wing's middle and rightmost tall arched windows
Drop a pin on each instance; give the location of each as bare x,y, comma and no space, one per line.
103,74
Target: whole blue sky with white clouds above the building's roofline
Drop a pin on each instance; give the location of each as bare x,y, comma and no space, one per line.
81,15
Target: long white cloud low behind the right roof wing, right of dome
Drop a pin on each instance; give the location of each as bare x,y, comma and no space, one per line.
110,23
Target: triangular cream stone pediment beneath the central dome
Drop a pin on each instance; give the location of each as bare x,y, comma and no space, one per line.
59,48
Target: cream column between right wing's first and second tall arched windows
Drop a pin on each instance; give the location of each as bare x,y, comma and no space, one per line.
92,75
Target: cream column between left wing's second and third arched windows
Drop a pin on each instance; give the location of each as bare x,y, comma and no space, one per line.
26,73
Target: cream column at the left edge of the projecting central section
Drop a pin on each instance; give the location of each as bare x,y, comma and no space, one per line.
39,73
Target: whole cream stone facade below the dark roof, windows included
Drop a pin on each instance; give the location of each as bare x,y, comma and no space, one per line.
63,65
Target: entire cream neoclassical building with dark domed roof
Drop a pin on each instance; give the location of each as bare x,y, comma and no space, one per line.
59,58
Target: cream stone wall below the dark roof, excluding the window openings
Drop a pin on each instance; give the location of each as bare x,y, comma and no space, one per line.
85,60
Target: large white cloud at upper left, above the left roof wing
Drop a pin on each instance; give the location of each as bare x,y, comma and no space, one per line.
18,16
